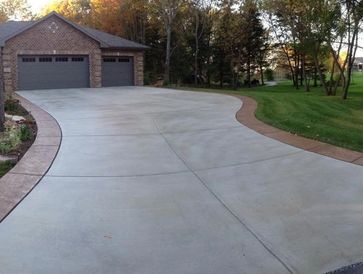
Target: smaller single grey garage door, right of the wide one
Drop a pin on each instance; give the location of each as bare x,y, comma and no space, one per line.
117,71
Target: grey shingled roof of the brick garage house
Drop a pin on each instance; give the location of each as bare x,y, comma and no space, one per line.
13,28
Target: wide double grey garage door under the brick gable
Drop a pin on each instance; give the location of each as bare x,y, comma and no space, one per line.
52,72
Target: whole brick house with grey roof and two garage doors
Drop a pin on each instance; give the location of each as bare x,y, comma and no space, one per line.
55,53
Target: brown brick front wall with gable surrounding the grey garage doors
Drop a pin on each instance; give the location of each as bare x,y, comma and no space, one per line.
54,36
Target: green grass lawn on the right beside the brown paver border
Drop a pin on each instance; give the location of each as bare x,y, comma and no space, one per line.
311,114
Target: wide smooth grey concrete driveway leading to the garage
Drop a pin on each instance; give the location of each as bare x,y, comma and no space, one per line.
163,181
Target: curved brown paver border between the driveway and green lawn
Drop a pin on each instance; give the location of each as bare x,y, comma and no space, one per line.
246,116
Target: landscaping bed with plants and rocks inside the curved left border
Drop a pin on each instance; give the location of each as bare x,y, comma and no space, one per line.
19,134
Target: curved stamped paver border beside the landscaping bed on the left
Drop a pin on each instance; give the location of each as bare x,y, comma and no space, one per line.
28,172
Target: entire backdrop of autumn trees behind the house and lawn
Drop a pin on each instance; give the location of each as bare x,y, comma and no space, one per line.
230,42
